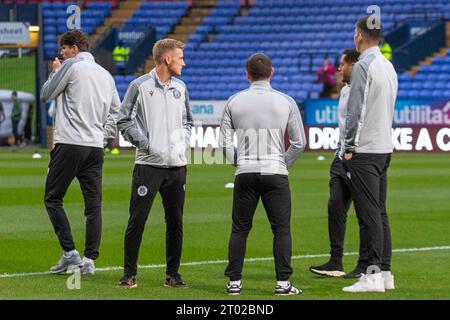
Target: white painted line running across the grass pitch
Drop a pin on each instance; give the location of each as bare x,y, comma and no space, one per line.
197,263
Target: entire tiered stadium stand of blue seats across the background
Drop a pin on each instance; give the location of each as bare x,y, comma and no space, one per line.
220,35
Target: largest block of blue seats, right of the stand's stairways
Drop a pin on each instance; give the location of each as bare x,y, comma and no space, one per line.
292,33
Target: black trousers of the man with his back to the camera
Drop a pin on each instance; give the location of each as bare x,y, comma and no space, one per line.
276,197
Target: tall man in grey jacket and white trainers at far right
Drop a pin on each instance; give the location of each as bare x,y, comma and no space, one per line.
368,148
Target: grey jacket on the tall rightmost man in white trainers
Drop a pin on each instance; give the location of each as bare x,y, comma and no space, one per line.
370,107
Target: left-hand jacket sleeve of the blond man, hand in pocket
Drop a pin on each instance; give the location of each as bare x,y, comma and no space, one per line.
127,119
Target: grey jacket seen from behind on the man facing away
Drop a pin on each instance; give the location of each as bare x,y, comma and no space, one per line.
260,116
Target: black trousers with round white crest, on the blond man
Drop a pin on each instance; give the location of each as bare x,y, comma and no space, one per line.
171,184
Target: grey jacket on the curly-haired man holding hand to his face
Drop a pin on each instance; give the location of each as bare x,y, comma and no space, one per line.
90,102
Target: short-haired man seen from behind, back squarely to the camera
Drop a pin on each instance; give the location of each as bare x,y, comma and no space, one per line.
260,116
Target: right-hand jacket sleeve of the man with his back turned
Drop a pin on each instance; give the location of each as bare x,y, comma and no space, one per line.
296,133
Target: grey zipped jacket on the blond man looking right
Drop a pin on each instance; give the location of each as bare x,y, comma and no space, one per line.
157,119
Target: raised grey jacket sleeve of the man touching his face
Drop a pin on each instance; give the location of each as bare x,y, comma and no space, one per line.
57,81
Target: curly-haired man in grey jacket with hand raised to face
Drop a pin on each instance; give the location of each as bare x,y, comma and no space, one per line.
83,122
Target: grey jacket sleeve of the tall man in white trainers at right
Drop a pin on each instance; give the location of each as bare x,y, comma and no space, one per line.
356,105
